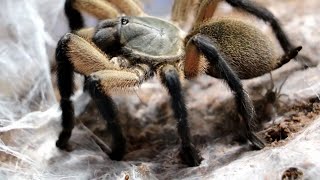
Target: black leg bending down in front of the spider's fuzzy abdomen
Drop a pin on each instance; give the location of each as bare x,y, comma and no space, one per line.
244,104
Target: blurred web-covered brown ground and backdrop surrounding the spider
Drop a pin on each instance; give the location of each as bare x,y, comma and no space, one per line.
30,115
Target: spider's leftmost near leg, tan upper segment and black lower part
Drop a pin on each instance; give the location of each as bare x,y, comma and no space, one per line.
73,53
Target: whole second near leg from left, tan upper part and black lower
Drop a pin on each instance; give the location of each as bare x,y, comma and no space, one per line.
99,84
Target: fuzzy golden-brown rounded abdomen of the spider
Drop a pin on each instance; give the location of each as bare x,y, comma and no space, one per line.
247,50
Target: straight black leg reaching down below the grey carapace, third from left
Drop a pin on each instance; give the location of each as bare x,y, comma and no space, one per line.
170,79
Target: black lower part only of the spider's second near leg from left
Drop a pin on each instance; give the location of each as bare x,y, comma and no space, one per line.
109,112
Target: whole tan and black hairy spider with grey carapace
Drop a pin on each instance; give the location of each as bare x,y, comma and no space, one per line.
144,46
